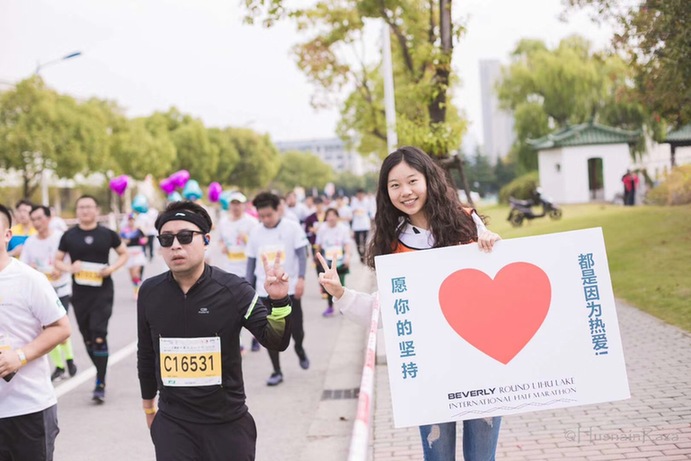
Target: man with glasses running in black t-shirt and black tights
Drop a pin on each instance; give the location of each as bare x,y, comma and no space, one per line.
88,244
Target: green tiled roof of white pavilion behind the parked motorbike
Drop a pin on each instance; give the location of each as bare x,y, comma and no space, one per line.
583,135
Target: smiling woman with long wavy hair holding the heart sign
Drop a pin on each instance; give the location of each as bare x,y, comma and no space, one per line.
417,209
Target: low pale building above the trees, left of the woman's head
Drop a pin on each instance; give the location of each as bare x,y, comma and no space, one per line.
331,151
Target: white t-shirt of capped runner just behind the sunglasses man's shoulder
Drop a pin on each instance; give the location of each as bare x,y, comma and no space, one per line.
234,236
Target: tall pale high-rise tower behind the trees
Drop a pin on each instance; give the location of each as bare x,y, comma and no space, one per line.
497,124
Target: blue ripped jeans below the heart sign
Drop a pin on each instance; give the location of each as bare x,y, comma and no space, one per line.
479,440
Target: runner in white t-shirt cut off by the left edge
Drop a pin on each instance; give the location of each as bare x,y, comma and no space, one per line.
32,322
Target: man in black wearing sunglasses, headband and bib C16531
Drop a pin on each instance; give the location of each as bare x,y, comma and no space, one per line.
189,321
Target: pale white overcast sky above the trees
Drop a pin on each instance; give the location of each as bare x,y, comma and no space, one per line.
149,55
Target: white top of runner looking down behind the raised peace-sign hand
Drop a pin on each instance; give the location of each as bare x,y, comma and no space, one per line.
286,237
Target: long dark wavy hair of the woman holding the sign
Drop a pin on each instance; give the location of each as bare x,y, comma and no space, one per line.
449,224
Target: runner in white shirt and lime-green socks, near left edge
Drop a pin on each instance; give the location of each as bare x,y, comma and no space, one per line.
39,252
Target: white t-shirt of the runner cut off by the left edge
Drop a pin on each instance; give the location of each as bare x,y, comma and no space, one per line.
27,304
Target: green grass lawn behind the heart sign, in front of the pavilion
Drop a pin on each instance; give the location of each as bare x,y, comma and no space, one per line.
648,247
